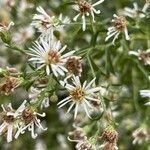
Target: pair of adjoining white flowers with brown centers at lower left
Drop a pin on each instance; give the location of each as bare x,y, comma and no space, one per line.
15,122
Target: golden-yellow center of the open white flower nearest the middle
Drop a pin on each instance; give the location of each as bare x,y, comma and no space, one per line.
77,94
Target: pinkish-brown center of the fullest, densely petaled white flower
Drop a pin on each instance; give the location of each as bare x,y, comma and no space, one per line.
53,57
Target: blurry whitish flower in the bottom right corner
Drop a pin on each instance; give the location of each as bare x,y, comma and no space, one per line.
140,135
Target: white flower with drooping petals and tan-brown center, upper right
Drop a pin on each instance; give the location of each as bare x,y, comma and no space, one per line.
119,25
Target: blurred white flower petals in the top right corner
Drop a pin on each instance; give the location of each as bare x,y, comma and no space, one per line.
135,12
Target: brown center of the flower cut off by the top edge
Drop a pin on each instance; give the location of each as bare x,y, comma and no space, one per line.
84,6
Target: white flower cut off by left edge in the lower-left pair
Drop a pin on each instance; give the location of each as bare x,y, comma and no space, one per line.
10,124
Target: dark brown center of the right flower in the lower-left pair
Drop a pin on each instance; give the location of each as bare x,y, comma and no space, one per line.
28,115
